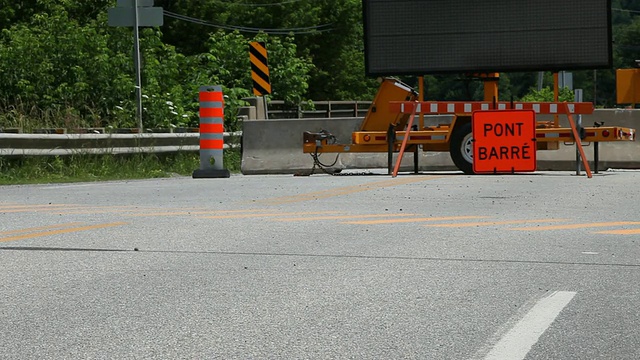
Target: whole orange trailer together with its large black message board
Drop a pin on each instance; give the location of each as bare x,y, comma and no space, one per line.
478,39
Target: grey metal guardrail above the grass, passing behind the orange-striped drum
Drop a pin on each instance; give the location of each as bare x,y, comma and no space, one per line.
71,144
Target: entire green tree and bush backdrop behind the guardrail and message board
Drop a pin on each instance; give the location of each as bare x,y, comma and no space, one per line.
62,65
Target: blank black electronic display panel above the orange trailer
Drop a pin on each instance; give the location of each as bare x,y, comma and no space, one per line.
416,37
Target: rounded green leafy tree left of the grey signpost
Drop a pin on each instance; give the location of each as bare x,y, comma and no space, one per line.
55,63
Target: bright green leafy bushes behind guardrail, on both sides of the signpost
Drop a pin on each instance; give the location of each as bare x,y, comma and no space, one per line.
59,72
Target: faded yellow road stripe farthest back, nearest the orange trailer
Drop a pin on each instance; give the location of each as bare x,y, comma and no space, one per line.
347,190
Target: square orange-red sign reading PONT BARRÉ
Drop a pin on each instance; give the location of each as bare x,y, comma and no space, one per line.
504,141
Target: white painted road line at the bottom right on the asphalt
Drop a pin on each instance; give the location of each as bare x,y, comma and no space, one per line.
517,342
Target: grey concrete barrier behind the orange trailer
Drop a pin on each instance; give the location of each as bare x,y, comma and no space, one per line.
275,146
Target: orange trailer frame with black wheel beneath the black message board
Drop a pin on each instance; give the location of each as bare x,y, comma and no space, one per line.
384,127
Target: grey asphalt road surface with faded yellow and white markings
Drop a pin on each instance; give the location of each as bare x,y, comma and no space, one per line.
429,266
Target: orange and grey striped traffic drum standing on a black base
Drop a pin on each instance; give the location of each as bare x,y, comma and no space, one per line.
211,134
